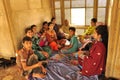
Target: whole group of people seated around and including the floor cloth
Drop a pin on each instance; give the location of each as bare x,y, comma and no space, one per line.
46,56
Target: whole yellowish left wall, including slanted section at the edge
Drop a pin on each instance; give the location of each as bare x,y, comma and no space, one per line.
15,16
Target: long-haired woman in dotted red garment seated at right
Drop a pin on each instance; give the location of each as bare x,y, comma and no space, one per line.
94,63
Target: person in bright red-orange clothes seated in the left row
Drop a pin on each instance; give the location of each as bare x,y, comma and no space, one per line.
52,37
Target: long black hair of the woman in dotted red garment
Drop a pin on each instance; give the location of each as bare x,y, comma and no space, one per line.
103,31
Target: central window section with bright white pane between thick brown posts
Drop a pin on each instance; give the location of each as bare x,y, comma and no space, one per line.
80,11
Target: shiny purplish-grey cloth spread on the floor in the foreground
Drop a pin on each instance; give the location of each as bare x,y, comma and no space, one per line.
60,70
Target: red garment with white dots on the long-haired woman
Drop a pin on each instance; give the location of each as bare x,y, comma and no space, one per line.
94,64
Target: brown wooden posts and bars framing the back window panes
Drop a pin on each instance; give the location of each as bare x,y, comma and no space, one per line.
95,10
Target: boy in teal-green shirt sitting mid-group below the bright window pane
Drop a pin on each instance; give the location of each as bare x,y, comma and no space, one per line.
73,47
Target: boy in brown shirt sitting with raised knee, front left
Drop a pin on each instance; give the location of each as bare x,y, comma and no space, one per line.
28,62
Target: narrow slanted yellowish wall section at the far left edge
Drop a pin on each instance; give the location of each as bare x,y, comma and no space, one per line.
6,44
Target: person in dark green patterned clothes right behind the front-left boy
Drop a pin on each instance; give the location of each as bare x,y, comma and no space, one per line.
37,50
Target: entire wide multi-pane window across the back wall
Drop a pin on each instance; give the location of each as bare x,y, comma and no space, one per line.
80,12
